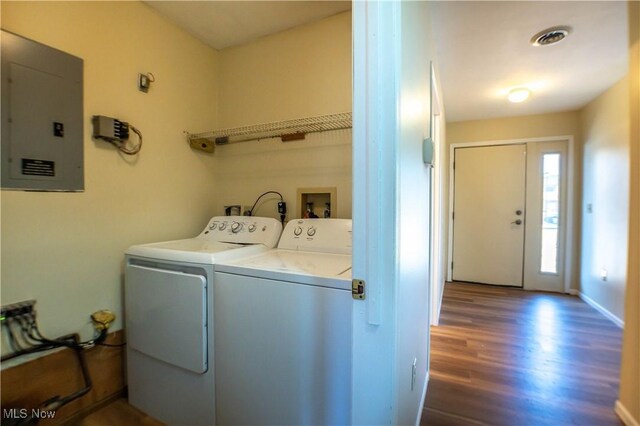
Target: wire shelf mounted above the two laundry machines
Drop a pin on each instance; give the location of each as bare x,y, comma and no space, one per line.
287,130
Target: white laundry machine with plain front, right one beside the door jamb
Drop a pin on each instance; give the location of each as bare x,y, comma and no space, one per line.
283,330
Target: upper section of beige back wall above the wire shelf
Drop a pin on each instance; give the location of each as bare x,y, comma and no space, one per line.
302,72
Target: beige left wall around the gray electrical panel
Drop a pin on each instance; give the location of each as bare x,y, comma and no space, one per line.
66,250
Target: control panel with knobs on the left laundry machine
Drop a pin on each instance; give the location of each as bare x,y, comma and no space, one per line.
243,230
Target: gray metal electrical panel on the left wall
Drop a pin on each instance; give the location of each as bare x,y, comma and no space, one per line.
42,117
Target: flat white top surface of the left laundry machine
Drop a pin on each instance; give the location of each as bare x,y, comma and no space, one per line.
196,250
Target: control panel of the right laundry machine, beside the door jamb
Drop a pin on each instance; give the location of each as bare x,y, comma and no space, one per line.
319,235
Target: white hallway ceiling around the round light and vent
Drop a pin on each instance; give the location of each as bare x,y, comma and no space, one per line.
484,50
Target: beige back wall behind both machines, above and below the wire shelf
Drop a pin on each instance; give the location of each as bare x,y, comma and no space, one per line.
299,73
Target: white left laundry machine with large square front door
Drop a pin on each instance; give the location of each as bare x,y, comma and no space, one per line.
169,316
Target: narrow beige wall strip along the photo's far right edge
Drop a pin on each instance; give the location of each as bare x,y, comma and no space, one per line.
629,399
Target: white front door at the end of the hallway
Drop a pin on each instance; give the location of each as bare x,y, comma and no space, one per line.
489,214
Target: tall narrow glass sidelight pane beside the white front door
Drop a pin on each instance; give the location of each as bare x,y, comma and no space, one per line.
550,212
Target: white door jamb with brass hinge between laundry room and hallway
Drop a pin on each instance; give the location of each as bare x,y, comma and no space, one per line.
375,207
